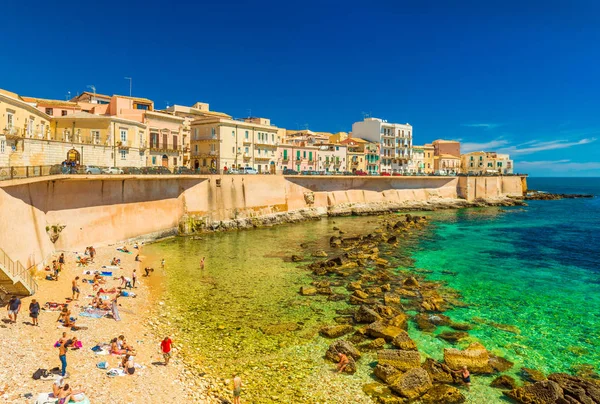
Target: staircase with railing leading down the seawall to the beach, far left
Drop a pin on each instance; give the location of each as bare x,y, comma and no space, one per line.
15,279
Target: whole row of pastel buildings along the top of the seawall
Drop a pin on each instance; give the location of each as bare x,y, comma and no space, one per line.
121,131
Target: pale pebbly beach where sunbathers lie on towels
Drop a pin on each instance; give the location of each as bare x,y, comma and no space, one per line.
27,348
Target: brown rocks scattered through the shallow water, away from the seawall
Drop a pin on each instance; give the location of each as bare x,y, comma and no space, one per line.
386,302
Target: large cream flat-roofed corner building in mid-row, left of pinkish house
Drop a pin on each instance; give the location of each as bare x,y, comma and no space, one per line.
220,143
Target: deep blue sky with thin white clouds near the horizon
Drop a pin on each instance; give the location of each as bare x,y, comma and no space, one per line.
514,76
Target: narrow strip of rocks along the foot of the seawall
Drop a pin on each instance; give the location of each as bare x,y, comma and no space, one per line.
190,224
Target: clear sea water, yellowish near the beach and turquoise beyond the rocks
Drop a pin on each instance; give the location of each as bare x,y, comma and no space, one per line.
528,276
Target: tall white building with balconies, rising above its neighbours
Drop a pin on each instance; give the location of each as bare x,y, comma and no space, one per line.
395,140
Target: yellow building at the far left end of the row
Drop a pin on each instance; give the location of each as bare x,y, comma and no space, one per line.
19,121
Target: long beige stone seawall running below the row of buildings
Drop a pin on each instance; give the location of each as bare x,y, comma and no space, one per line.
78,211
